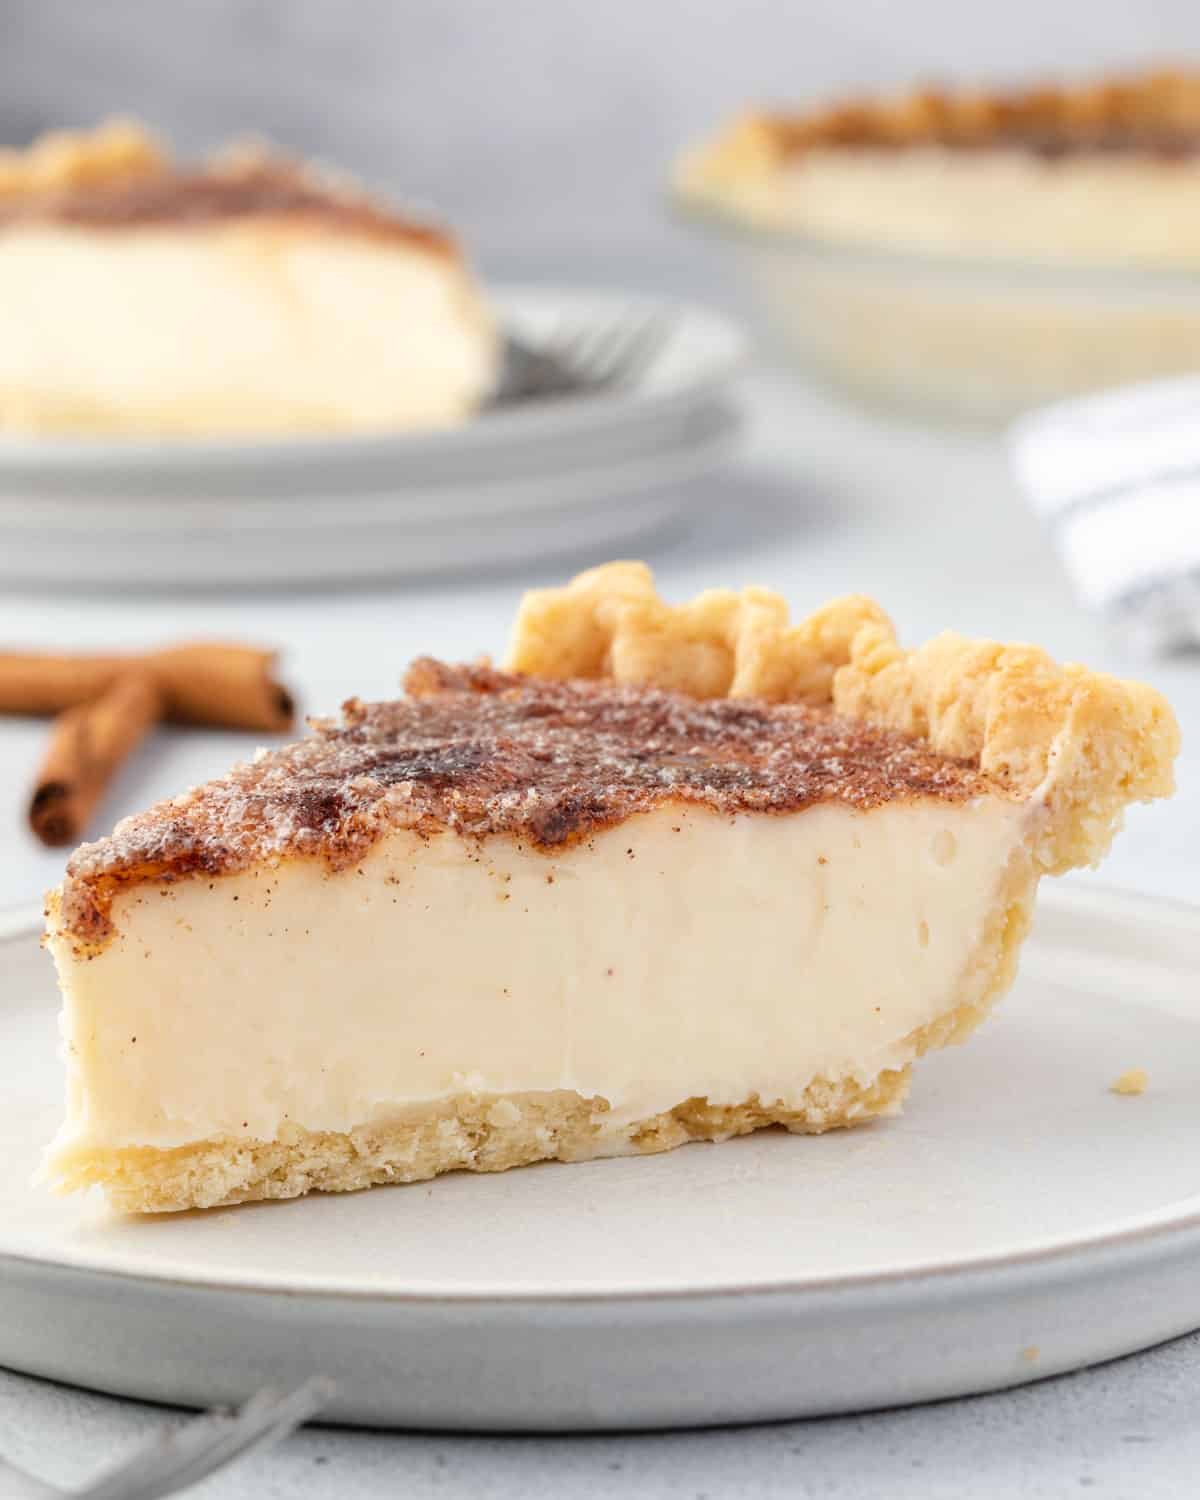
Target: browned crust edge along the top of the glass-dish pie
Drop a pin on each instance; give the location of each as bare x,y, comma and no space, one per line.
1154,113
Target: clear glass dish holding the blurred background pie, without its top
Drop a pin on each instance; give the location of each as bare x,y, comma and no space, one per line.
953,337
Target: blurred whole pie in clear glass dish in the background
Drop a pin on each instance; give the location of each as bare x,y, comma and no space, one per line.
971,253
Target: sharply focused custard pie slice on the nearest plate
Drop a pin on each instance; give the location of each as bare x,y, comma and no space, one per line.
673,875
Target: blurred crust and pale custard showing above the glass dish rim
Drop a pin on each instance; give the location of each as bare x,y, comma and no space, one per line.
1093,173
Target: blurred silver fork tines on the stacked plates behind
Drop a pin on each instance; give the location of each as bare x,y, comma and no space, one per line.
581,358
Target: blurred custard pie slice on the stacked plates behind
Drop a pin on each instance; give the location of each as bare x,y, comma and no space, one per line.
247,296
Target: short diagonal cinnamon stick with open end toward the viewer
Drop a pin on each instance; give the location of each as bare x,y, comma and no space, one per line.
86,748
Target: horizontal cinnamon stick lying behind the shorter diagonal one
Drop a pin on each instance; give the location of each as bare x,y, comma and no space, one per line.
224,686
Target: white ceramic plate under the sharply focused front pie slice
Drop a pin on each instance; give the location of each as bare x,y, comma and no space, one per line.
1018,1222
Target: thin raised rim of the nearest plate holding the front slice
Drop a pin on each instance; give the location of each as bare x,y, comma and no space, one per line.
1159,1234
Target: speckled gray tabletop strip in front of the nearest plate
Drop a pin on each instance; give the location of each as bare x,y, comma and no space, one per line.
1123,1432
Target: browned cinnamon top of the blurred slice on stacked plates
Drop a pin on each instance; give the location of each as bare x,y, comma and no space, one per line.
260,187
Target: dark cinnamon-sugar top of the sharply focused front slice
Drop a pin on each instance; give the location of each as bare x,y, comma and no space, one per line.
487,754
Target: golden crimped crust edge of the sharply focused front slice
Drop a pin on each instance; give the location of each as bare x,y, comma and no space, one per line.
1081,743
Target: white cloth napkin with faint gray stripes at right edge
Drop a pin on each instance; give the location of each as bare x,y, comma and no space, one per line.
1117,479
